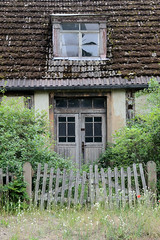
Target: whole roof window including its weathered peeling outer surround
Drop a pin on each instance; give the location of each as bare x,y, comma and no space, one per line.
77,36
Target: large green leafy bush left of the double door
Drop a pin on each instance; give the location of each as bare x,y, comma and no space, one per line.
25,136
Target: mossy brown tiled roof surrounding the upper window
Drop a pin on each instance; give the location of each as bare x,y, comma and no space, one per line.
133,41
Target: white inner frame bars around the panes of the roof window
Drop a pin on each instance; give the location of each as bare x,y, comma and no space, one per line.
79,32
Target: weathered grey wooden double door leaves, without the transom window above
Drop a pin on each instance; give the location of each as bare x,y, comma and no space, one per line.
80,136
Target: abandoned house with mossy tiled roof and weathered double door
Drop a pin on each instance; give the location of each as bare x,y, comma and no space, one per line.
85,59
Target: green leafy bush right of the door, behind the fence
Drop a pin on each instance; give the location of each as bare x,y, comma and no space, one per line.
139,141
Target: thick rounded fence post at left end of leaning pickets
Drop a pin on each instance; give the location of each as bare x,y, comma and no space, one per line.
27,173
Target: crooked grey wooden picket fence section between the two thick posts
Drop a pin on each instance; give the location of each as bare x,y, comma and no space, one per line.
113,187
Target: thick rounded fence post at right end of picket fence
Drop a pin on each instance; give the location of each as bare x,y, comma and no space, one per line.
152,176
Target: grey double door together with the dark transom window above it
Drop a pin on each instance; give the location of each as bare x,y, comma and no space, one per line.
80,126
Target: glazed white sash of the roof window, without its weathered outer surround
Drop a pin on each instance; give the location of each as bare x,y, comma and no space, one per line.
79,40
